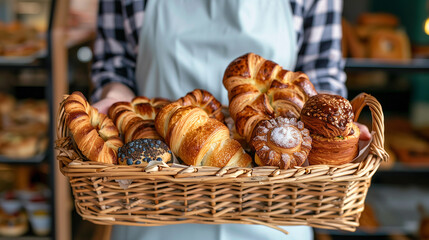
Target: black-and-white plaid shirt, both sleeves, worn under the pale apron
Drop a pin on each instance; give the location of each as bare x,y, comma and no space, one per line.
317,25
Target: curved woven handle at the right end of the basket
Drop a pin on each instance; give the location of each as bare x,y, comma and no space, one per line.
358,103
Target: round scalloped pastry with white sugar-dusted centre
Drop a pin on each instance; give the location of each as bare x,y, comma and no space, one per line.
282,142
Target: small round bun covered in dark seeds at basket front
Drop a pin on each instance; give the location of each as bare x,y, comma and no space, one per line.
142,151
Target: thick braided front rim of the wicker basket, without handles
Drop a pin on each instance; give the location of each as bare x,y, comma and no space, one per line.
78,167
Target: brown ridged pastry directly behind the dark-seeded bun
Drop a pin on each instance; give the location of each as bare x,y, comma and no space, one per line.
135,119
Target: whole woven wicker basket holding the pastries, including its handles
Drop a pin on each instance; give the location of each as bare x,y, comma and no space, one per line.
321,196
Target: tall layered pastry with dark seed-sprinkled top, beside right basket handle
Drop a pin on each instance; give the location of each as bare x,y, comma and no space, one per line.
330,121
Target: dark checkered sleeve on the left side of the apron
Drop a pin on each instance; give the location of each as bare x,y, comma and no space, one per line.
114,54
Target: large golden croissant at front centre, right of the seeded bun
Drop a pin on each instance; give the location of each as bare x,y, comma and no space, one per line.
195,137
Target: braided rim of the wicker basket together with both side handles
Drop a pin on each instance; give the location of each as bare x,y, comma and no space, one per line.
72,164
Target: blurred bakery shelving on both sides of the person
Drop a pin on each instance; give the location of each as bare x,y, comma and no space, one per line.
46,50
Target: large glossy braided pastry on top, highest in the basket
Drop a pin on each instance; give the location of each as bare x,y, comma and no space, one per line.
259,89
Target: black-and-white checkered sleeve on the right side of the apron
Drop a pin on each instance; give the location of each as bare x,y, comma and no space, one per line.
320,55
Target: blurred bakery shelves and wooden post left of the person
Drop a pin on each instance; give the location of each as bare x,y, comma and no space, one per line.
45,51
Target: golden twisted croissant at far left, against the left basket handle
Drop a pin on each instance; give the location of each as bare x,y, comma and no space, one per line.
94,133
